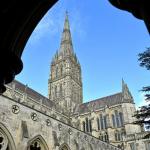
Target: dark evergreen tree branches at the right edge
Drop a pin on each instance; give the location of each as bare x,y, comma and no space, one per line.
143,114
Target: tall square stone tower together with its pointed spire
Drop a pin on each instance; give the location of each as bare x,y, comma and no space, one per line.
65,82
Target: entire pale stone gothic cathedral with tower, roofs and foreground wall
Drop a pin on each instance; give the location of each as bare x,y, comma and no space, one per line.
61,121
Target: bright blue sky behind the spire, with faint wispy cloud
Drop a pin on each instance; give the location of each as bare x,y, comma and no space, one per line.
106,40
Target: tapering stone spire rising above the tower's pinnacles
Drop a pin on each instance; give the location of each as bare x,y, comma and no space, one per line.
66,41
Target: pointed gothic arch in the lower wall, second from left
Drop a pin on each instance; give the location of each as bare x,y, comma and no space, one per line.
37,143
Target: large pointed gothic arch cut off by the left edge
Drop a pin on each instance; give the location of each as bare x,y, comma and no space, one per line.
6,139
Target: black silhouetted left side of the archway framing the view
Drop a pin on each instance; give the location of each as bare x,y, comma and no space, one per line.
18,20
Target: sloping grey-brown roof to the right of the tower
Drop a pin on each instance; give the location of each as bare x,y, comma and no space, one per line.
101,103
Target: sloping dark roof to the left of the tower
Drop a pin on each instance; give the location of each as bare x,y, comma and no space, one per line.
31,93
